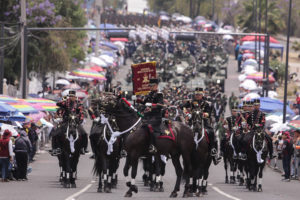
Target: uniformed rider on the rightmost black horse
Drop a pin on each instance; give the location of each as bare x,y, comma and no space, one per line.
257,120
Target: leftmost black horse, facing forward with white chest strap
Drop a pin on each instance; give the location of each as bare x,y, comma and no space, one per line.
70,142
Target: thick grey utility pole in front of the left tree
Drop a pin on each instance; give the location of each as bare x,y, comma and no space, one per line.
23,49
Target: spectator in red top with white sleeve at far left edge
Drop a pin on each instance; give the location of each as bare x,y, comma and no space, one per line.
6,154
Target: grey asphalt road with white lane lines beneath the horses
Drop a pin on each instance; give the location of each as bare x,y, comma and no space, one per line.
43,181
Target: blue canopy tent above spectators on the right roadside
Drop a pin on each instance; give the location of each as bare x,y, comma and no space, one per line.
271,105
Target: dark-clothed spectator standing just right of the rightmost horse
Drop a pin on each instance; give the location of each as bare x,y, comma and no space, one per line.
287,151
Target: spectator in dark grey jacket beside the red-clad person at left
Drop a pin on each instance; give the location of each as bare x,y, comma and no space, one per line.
22,150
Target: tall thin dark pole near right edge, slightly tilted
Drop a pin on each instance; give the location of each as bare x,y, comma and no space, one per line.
287,62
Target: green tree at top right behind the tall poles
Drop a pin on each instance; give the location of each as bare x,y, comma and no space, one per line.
275,21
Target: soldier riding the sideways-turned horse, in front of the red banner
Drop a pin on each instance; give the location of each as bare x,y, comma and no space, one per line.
153,113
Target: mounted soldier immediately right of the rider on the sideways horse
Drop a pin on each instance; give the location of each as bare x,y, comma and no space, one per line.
199,103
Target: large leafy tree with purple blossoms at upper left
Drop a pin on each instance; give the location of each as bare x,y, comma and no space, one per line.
47,51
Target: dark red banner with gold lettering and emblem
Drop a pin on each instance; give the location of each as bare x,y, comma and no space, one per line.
141,74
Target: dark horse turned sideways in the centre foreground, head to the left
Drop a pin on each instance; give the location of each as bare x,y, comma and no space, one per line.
136,143
